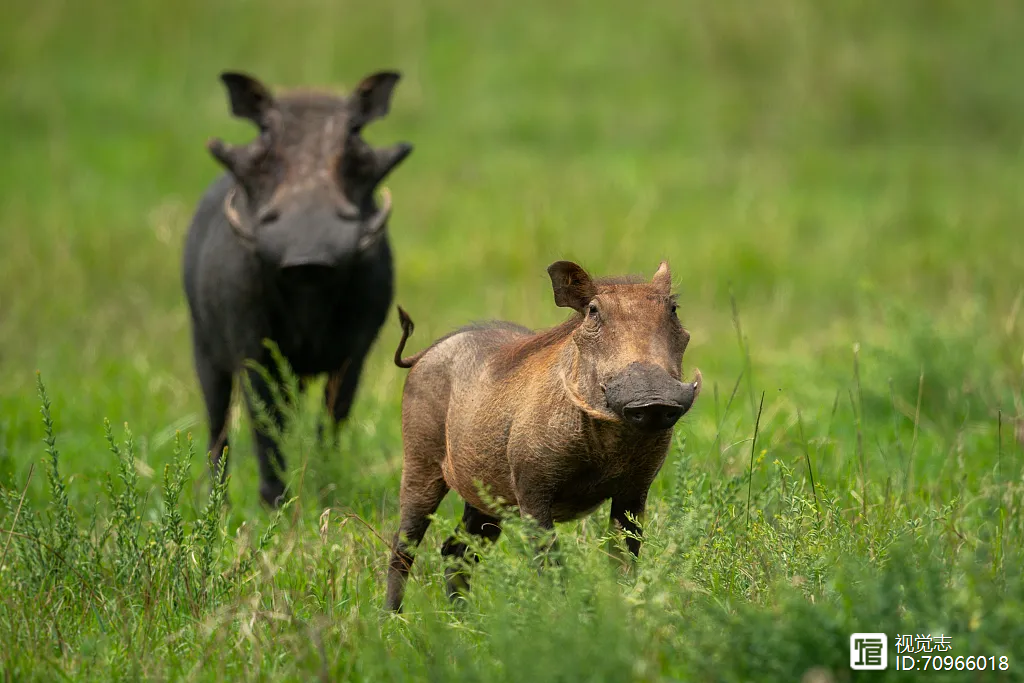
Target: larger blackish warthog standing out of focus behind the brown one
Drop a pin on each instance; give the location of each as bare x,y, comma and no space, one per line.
290,245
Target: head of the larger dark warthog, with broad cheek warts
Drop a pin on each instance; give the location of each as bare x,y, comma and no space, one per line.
307,202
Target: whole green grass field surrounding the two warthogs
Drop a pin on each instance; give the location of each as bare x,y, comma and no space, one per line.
837,187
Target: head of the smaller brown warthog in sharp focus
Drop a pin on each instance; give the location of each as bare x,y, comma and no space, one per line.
629,345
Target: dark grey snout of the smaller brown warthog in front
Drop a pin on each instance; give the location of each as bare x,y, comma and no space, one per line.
649,399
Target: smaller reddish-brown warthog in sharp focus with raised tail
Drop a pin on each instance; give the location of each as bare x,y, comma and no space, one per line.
556,422
